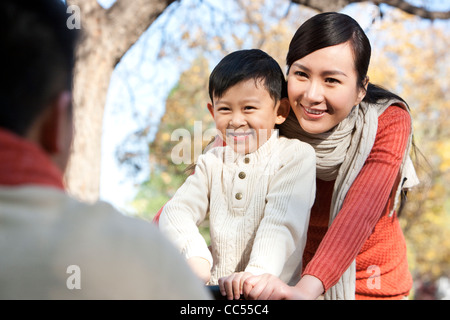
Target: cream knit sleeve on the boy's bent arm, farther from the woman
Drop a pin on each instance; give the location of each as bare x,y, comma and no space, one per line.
181,216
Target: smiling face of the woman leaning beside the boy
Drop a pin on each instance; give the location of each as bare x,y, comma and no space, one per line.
322,88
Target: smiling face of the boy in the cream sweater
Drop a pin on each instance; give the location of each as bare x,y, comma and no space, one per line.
246,115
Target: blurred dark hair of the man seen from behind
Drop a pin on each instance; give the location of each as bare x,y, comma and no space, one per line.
37,59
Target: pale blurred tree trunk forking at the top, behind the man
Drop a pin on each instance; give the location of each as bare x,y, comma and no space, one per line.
107,35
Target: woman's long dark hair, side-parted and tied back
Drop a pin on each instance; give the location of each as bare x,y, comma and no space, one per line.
332,28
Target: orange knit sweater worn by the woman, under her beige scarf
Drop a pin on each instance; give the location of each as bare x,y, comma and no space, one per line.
363,228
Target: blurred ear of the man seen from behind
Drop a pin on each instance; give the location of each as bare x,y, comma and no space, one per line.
56,128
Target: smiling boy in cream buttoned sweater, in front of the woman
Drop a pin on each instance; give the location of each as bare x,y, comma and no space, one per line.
258,189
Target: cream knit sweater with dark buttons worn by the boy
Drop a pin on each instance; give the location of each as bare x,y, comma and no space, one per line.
259,206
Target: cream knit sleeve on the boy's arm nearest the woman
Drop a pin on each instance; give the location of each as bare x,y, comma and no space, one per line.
281,235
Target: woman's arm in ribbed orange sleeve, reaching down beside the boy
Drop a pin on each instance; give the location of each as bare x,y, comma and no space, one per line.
365,201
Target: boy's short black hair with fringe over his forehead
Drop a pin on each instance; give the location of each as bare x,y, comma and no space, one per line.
244,65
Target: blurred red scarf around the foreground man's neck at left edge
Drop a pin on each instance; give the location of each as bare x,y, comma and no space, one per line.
23,163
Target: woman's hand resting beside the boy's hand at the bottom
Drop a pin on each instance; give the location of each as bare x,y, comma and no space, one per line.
270,287
